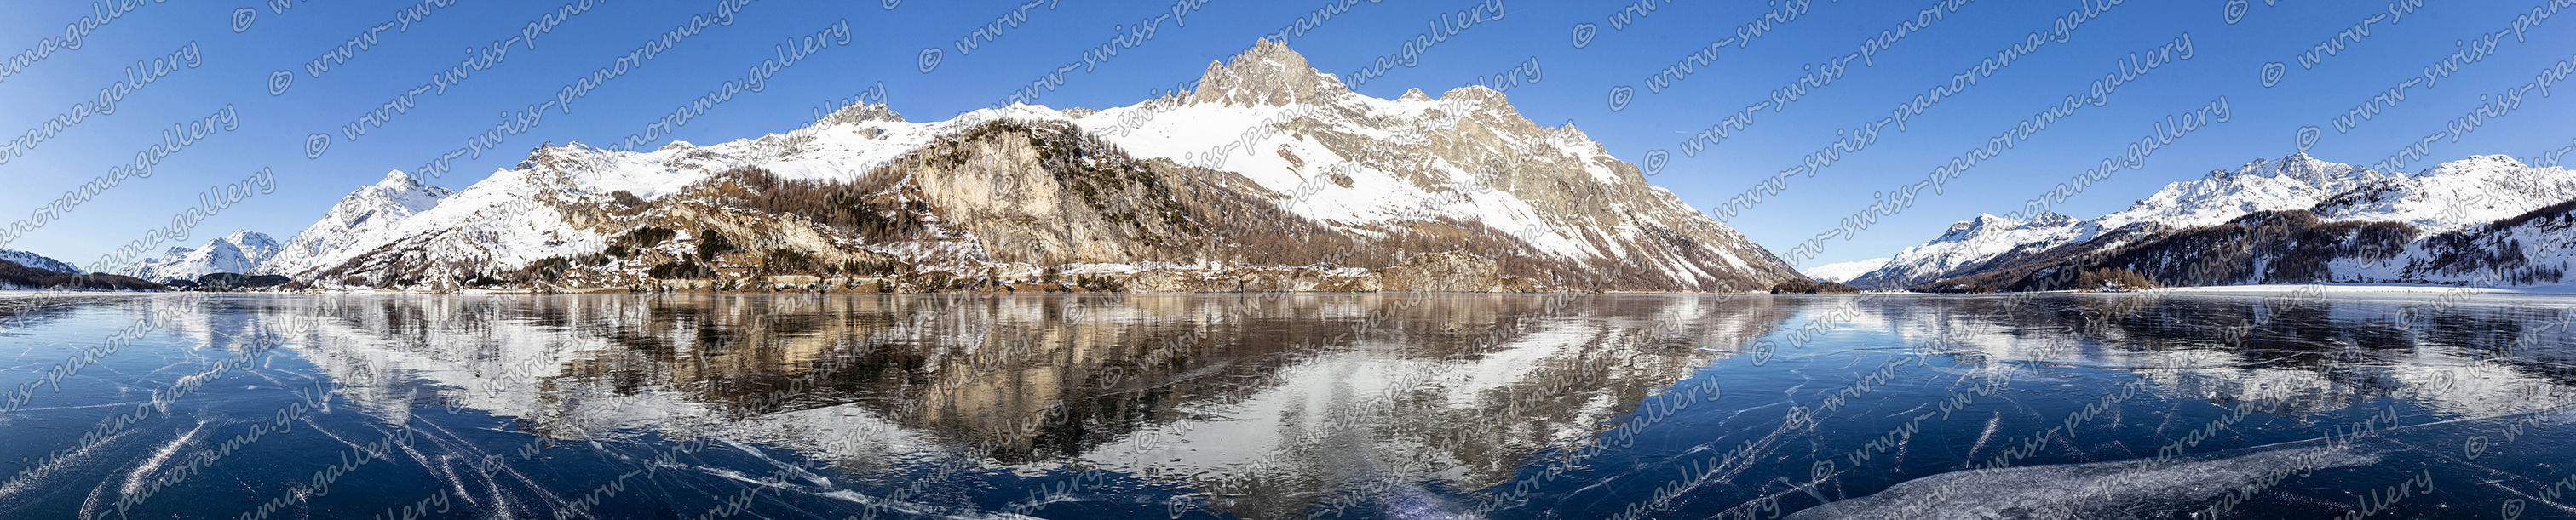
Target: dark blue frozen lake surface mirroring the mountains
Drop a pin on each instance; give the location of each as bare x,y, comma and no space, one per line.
1307,405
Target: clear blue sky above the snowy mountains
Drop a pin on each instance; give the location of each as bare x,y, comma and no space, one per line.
885,48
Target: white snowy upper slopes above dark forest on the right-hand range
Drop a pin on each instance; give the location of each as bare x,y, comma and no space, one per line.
2451,197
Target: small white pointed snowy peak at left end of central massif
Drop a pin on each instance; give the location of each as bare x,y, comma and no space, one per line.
362,215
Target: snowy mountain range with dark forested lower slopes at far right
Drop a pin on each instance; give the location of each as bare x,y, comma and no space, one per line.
2299,220
